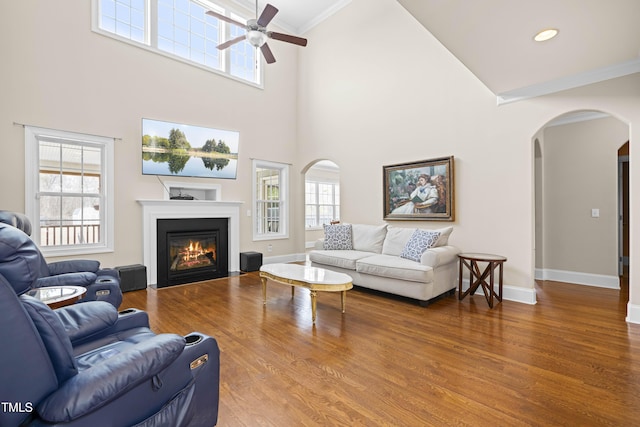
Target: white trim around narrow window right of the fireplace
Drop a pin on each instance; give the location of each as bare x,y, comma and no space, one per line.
283,169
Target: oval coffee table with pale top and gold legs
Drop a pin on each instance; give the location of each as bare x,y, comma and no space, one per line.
313,278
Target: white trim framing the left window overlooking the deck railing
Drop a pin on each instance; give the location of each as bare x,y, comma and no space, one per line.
32,175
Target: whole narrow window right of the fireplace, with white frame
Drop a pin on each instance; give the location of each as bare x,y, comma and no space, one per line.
270,191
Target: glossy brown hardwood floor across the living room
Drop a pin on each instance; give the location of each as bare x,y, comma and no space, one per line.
569,360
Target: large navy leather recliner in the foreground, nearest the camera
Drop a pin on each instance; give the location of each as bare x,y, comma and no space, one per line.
88,365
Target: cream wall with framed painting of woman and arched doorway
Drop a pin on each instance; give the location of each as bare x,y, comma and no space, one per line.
397,95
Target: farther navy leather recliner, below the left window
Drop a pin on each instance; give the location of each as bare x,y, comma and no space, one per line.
101,284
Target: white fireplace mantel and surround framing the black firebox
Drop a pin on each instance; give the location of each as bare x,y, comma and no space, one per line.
152,210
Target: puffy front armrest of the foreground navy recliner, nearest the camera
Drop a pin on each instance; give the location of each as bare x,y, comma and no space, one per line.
94,387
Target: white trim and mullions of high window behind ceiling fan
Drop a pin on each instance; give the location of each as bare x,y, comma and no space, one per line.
152,32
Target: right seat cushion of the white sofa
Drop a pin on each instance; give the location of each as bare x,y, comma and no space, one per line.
395,267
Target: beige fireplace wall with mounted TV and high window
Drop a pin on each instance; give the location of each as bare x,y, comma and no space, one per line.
57,73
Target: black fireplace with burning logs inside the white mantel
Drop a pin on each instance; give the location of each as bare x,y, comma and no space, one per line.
191,250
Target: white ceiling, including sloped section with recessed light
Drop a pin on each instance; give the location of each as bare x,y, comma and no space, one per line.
598,40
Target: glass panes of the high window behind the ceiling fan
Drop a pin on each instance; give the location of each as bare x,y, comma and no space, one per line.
180,29
